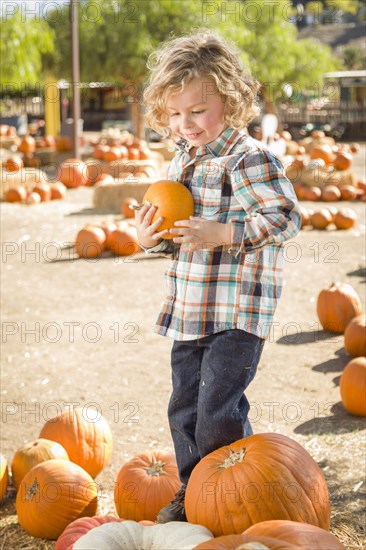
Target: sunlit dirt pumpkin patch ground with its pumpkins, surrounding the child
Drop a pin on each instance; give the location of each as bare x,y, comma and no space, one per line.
81,366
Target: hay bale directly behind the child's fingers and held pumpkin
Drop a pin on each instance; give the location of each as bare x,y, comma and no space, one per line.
109,196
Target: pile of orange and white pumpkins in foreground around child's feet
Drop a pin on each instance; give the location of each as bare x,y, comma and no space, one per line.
264,491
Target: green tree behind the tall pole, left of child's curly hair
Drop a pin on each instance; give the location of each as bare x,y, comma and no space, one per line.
116,37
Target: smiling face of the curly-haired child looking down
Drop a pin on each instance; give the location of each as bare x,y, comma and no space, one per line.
196,113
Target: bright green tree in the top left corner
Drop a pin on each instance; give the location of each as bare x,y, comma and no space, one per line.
23,44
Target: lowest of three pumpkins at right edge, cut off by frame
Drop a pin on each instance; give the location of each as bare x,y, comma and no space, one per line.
353,386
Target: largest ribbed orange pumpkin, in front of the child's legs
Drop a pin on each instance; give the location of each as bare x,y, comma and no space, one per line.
262,477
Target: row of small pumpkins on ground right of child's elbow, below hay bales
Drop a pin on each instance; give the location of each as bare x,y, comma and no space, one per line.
328,218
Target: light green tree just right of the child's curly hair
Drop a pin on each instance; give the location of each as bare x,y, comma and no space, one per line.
271,49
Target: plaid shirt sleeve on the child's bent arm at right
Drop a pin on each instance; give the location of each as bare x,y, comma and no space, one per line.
269,200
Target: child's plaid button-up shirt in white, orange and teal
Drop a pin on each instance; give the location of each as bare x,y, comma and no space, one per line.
232,180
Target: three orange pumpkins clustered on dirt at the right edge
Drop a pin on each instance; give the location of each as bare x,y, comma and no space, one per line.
339,311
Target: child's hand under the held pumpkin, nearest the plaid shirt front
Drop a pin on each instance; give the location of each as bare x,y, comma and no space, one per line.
201,233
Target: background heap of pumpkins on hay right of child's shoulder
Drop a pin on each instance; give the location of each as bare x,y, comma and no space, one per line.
321,169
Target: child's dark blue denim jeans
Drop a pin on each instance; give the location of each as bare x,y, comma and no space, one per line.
207,408
